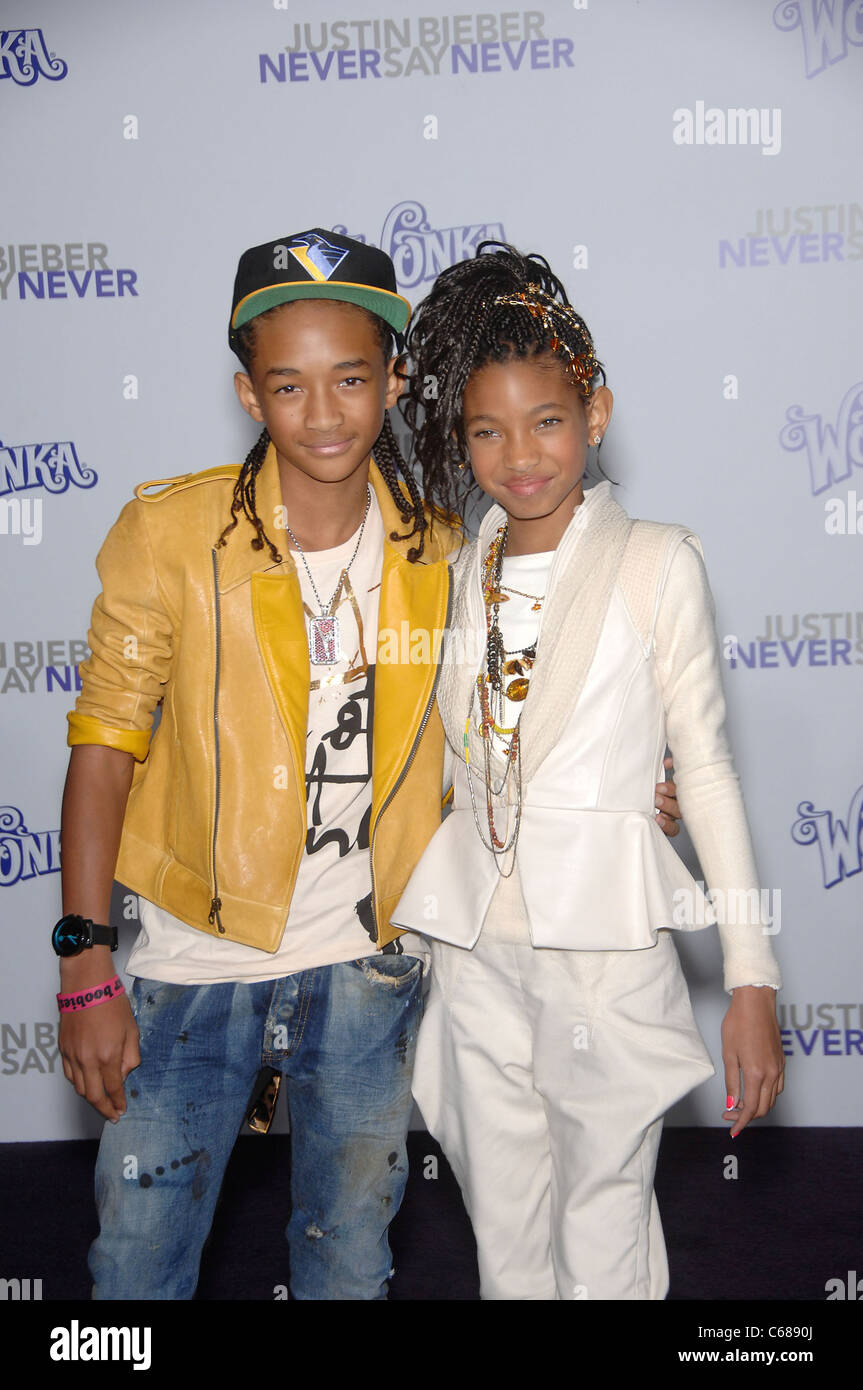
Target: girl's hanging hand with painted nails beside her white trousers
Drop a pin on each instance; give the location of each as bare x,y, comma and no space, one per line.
753,1052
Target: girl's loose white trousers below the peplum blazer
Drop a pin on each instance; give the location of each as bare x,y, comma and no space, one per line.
545,1077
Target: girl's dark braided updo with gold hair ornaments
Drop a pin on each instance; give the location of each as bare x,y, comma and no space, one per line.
498,306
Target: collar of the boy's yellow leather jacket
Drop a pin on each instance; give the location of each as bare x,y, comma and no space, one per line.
238,562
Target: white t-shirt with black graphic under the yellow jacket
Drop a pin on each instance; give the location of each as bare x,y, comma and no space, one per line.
331,915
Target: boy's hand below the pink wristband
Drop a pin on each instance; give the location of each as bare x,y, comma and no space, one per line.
99,1049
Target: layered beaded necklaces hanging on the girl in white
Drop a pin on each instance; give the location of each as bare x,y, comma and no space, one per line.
491,692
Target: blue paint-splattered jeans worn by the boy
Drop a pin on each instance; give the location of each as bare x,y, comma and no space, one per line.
344,1039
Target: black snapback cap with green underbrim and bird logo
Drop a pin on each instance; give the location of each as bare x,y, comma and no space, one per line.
318,265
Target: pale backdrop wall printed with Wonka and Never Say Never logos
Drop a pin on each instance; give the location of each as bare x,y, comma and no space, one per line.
693,170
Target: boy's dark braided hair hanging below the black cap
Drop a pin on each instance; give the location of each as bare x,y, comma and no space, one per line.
387,455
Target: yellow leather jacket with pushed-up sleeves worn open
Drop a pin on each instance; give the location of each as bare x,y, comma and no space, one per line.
216,821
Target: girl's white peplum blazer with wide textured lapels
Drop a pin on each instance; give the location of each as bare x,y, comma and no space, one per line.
595,869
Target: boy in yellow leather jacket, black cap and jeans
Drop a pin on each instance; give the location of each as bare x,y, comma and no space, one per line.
276,815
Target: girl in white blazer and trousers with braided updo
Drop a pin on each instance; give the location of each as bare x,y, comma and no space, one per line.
559,1028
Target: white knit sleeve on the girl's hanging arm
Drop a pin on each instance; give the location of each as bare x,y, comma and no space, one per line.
708,787
